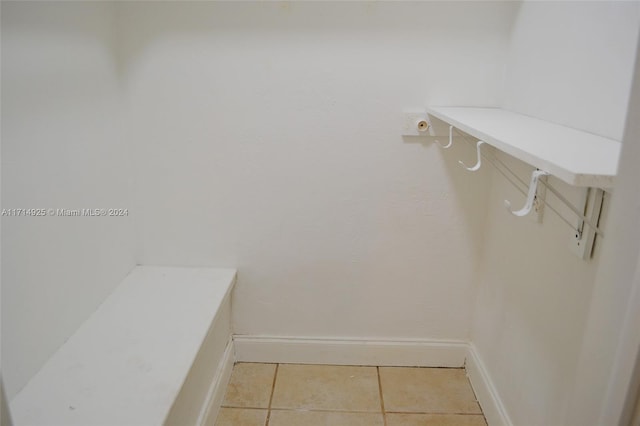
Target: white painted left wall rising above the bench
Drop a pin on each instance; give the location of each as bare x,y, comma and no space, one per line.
63,147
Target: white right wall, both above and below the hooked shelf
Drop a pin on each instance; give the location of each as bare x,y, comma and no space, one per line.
570,63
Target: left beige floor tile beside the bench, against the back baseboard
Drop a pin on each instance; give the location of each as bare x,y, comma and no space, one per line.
250,385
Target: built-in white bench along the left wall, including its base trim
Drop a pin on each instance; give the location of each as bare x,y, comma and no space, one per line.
157,351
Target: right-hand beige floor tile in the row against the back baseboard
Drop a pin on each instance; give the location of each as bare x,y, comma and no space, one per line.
427,390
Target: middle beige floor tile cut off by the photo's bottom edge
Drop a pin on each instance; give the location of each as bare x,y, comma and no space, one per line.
324,418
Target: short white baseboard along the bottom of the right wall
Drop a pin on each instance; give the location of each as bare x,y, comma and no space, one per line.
488,397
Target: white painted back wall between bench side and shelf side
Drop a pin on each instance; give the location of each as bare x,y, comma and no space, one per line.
268,138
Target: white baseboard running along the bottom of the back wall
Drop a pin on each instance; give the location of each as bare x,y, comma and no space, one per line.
305,350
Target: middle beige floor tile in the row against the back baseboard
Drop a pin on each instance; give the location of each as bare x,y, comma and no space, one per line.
327,387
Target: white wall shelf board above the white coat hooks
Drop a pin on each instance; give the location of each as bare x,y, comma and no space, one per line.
576,157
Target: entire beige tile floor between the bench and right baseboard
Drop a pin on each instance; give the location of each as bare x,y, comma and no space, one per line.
330,395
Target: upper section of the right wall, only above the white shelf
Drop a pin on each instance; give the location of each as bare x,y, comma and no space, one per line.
572,62
